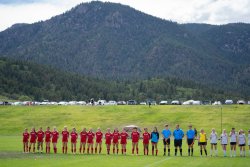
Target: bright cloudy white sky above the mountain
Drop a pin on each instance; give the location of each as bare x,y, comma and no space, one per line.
182,11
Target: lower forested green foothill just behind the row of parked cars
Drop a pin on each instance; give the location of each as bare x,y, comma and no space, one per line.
22,80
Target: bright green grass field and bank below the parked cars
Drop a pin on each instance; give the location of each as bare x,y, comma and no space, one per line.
15,119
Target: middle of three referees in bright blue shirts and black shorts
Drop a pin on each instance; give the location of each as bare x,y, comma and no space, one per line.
178,135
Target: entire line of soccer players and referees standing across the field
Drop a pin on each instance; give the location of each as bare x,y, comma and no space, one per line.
113,138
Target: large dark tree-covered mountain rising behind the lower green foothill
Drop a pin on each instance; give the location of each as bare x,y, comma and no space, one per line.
113,41
